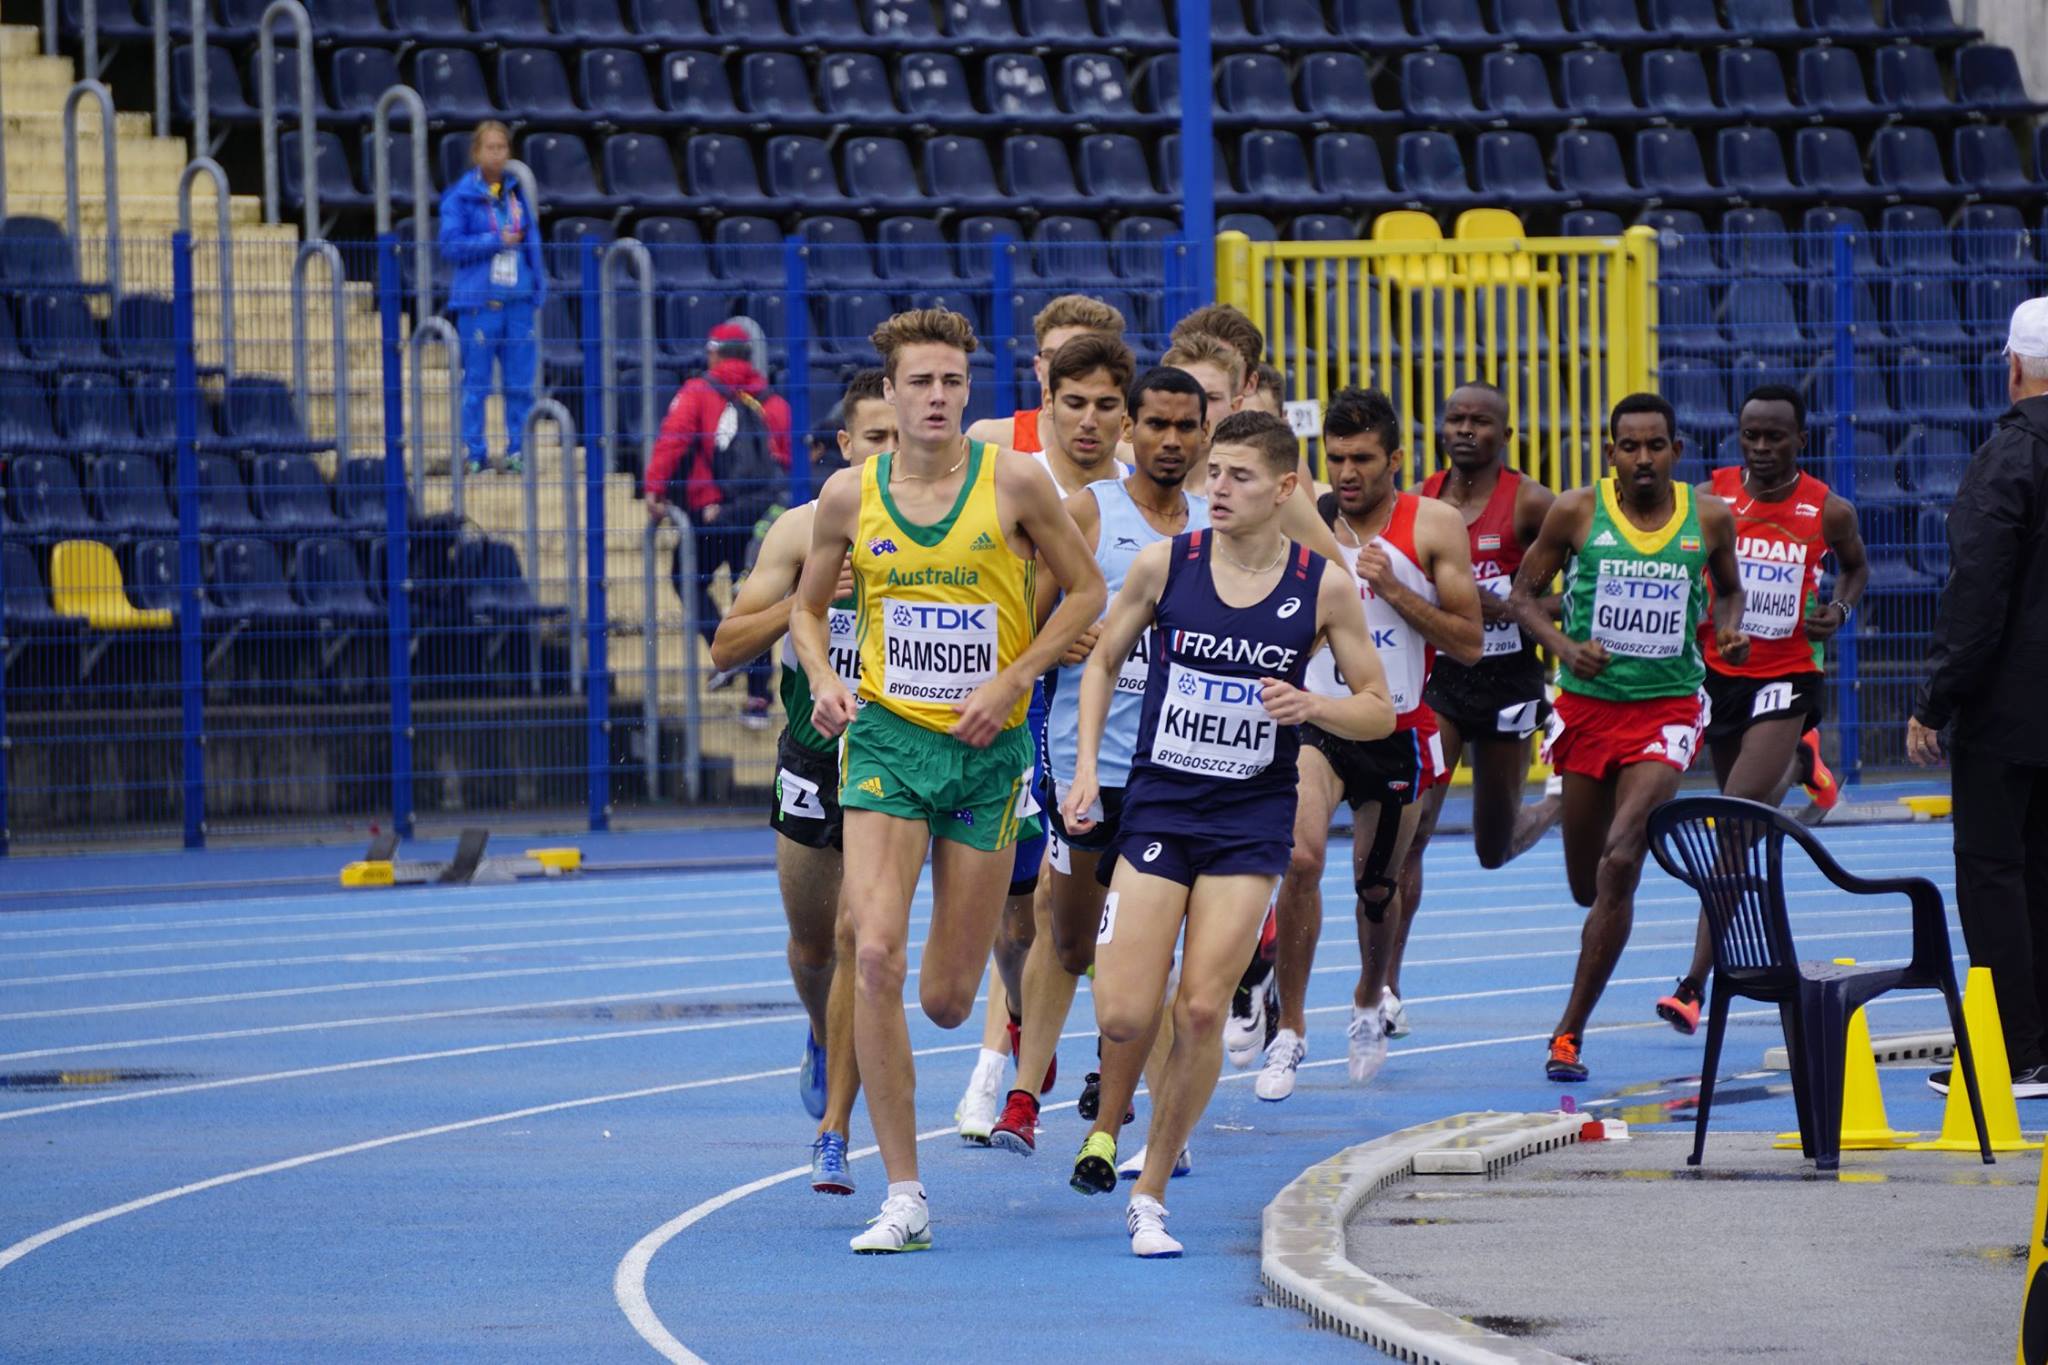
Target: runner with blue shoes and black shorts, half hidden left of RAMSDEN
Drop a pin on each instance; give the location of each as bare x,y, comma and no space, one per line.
806,811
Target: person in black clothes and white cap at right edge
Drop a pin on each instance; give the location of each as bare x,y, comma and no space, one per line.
1988,687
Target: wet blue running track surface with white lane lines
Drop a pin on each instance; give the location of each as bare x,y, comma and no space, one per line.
558,1122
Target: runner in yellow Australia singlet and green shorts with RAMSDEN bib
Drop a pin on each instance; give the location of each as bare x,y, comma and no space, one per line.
945,537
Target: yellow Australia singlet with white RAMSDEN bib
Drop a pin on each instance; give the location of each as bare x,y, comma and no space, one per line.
943,609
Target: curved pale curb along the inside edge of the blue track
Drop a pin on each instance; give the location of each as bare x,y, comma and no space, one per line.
1302,1239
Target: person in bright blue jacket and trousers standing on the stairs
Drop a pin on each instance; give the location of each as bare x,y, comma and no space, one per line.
490,236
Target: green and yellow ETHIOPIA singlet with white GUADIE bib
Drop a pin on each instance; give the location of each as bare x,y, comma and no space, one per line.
1641,597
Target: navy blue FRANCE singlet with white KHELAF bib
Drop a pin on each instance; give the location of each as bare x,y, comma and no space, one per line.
1209,760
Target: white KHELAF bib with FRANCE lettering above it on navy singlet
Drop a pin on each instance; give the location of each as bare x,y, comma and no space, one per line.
1211,723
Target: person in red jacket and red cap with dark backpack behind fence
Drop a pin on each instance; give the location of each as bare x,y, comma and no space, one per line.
724,457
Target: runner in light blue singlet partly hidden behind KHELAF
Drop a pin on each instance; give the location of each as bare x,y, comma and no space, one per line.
1117,519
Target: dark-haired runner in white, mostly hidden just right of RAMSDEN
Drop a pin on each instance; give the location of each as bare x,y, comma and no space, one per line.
1086,384
